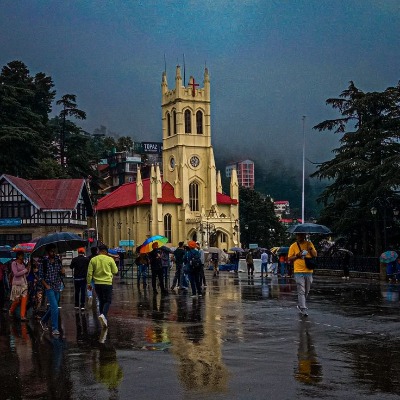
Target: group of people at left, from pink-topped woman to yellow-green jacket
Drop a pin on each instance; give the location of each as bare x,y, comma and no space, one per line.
36,284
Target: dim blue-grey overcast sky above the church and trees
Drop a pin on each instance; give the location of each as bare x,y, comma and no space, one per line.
270,62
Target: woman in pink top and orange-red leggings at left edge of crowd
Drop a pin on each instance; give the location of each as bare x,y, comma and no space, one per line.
19,288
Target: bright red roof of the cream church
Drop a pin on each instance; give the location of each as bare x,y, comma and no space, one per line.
125,196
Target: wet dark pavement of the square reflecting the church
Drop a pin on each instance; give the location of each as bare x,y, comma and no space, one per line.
243,340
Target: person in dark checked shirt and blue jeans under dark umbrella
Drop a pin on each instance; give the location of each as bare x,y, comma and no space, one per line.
50,274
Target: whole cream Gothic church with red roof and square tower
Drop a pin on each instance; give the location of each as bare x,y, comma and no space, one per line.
184,201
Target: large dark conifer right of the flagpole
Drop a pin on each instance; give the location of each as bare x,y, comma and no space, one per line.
363,172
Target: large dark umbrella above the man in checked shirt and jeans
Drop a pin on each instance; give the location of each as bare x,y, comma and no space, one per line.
64,241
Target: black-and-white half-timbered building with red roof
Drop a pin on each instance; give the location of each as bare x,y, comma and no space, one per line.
32,208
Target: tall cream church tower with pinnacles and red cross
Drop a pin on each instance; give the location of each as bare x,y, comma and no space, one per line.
188,157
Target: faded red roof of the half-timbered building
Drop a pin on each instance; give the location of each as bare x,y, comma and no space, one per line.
50,194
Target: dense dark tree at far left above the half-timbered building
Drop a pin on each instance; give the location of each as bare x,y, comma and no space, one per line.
25,137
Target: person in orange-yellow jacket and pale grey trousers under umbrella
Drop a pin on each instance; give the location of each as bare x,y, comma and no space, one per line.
298,251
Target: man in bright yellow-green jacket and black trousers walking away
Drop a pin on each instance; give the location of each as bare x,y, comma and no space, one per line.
102,269
